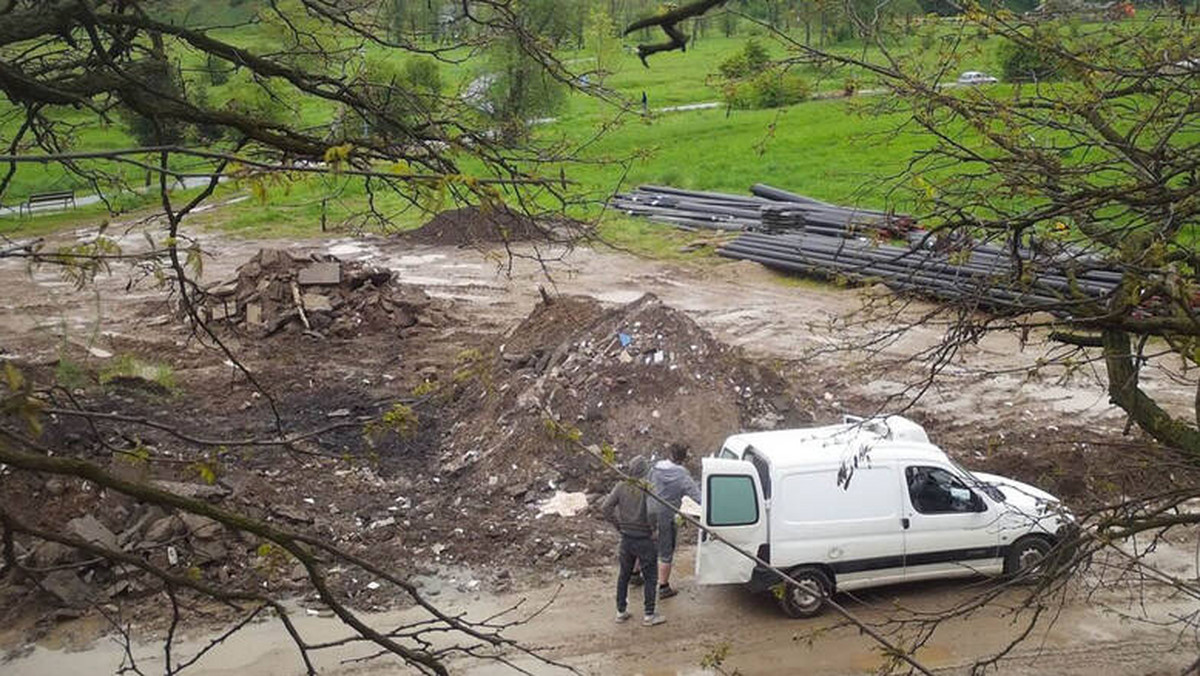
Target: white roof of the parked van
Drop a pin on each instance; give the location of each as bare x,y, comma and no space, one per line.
889,439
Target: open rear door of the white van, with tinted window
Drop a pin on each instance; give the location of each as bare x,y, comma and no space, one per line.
733,507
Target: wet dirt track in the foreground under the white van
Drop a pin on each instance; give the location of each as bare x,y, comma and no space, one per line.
1085,638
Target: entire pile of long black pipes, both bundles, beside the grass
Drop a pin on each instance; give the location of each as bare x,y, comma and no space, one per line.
801,235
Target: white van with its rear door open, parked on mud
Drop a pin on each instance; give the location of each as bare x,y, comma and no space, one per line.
860,505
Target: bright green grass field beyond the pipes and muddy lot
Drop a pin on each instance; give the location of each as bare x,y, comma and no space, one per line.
831,149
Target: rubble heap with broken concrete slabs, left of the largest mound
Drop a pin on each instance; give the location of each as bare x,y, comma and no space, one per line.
277,291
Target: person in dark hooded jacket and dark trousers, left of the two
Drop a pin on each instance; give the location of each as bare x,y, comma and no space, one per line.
626,510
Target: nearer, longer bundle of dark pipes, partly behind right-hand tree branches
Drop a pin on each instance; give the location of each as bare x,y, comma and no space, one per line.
986,277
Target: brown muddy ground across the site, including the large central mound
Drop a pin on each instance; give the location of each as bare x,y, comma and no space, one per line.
484,360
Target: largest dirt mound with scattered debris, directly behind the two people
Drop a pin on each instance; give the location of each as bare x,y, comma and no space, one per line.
639,376
